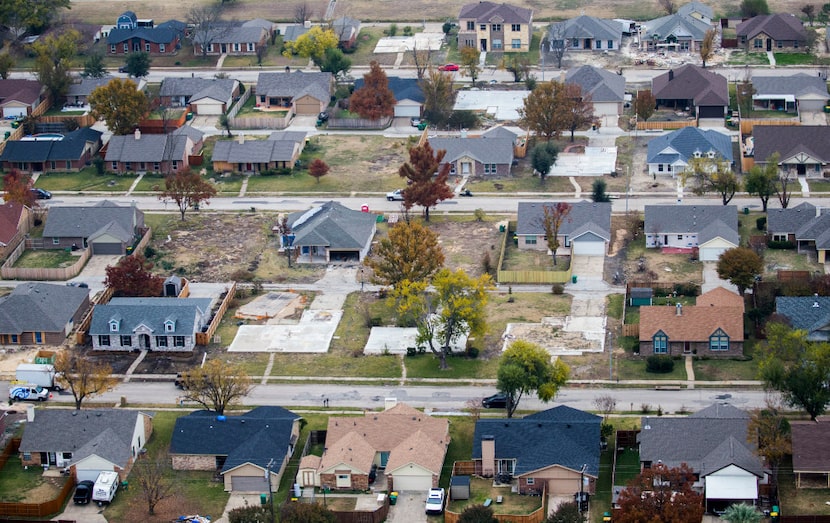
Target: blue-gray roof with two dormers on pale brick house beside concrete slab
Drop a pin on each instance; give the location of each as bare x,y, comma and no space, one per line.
187,314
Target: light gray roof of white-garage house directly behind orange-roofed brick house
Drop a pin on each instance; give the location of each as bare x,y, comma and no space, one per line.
684,219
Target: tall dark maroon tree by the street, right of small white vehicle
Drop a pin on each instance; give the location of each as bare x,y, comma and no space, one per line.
425,187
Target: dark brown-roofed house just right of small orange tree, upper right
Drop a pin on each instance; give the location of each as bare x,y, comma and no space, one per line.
692,88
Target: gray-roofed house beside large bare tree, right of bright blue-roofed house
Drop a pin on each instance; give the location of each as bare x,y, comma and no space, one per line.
232,38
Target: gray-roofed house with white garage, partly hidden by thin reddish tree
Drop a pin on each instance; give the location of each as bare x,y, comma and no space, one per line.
586,230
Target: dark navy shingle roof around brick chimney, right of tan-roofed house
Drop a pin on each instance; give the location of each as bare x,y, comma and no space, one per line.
543,440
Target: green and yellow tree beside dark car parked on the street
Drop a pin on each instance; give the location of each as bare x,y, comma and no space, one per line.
525,368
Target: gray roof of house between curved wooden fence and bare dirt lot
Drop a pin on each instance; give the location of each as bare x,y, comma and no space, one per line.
83,222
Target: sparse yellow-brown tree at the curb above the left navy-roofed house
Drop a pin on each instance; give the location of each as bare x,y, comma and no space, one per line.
216,385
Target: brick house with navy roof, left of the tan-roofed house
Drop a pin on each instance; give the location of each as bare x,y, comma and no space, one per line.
243,449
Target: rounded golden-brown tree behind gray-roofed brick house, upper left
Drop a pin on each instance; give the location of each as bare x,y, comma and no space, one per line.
120,104
